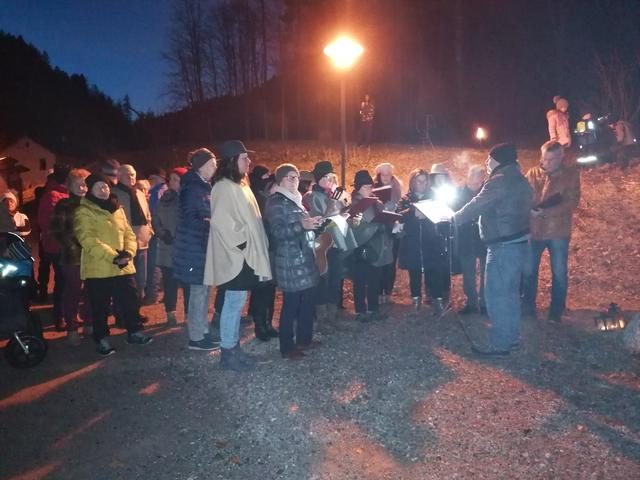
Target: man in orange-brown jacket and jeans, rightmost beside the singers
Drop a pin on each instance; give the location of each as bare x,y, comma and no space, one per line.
556,194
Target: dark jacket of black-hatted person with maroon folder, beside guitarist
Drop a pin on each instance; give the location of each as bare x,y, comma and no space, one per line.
375,244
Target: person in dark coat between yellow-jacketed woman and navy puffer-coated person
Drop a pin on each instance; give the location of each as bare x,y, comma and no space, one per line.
164,224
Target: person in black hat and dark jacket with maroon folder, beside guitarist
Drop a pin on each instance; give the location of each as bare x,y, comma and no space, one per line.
375,247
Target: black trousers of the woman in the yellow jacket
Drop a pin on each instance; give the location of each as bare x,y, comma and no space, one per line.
125,297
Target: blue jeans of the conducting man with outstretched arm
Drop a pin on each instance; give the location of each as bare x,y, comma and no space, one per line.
505,265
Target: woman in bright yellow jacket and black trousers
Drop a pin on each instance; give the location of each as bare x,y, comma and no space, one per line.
108,247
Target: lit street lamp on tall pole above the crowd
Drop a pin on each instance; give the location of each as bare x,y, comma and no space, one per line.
343,52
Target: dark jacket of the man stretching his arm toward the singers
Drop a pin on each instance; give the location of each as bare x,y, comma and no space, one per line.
503,205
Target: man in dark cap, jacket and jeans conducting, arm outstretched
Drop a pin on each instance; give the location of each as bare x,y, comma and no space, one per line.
503,205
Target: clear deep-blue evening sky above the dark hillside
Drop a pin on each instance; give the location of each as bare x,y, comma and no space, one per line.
116,44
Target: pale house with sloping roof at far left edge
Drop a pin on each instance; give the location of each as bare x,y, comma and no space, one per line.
33,156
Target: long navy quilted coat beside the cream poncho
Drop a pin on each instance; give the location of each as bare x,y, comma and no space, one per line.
192,229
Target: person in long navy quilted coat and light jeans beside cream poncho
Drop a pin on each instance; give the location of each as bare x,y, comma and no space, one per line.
190,247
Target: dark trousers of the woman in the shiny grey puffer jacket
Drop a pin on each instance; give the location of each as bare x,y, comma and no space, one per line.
297,308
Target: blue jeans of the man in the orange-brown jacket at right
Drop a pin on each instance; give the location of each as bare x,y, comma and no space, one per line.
559,255
